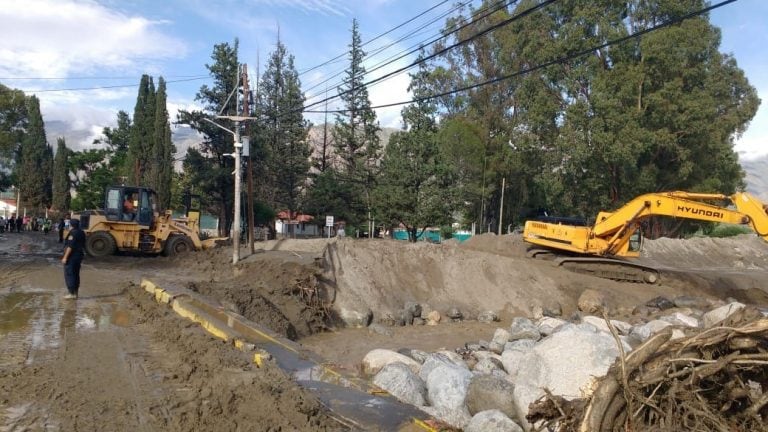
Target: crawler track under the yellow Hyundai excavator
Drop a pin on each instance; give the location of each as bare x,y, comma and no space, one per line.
606,268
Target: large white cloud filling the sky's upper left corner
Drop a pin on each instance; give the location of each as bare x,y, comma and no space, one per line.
58,38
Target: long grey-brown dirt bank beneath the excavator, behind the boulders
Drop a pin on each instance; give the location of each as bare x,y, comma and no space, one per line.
292,286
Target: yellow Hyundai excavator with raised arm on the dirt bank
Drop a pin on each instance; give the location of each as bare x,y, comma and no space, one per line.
603,248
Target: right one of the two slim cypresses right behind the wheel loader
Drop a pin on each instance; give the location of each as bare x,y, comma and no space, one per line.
160,173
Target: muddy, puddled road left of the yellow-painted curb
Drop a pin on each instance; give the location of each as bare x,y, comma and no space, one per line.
114,360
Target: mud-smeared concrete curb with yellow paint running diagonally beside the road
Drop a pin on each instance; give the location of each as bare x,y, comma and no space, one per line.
354,400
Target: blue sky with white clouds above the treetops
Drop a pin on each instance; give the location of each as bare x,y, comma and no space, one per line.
85,44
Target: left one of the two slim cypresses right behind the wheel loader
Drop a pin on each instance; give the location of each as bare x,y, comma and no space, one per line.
142,133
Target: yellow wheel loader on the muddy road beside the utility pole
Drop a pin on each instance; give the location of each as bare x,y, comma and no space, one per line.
130,222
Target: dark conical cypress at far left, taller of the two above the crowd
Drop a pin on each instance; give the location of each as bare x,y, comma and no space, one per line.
34,166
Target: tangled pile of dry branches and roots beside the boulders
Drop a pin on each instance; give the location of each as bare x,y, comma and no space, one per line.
714,380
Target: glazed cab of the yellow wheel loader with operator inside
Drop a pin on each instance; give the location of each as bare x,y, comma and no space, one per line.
131,205
